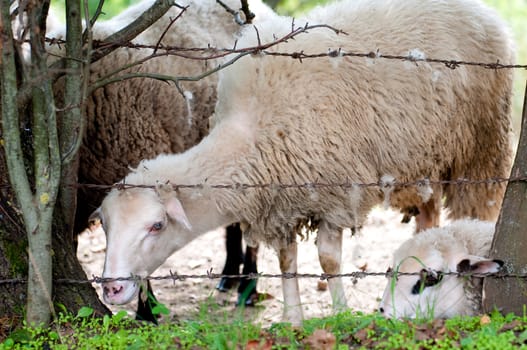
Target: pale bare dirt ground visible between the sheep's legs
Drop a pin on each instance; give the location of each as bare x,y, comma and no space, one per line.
370,250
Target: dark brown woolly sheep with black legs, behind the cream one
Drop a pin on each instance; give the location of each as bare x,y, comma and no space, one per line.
140,118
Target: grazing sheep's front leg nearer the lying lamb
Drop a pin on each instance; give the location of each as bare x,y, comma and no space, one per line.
329,243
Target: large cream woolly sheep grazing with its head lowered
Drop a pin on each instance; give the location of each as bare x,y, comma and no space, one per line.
362,121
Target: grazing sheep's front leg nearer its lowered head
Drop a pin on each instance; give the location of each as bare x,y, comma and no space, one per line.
290,289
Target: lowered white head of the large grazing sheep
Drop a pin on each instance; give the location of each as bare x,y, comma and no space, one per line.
143,228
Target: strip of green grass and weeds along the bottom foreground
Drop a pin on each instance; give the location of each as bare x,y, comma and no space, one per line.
341,331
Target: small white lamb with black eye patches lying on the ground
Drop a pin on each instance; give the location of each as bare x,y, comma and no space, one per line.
462,247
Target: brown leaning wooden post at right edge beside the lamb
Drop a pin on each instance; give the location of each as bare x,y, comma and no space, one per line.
510,240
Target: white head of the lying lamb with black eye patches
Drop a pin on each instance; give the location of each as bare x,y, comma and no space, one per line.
429,292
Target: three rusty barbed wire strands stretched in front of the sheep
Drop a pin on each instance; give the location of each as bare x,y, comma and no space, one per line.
212,53
